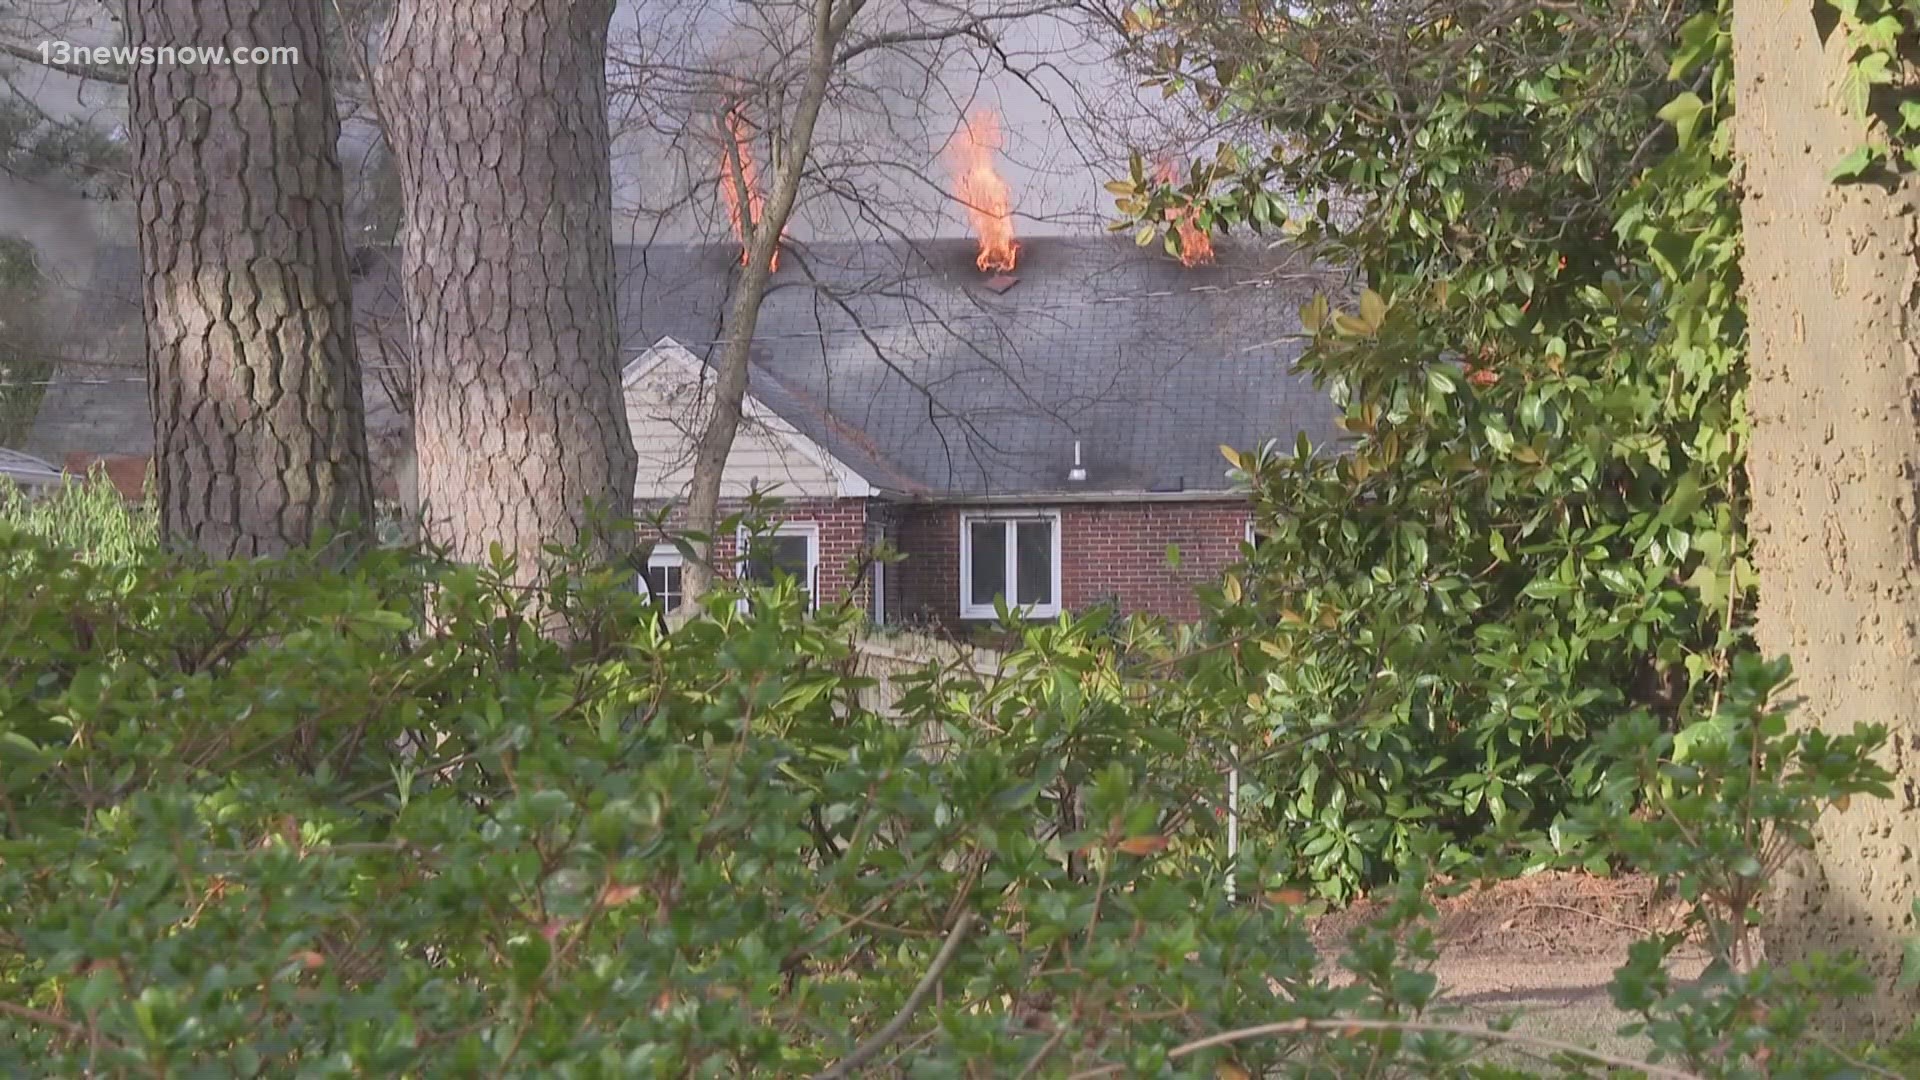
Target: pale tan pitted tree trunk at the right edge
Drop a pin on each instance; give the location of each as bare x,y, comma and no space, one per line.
1836,453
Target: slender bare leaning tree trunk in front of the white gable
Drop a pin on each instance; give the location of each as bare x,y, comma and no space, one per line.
744,312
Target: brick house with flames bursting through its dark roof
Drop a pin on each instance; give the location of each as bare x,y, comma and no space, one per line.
1032,420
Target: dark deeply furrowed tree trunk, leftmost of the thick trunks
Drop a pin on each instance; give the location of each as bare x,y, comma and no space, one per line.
258,414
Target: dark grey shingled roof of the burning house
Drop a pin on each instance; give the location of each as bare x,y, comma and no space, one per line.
911,370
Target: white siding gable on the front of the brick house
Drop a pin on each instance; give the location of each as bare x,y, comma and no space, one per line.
667,403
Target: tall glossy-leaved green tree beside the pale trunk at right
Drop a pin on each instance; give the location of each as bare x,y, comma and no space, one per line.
1535,526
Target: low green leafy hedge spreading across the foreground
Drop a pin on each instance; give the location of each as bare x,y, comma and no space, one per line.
285,818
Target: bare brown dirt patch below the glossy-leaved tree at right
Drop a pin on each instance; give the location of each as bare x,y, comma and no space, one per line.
1545,946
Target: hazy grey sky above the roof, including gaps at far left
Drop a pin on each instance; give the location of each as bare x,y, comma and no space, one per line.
882,147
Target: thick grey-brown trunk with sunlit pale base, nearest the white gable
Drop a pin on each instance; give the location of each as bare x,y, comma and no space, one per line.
496,112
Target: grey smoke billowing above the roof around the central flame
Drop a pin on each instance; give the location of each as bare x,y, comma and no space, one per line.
878,170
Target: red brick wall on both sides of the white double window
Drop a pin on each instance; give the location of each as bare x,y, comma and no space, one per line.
1111,552
